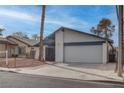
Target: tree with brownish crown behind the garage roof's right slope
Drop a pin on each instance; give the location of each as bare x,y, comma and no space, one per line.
104,29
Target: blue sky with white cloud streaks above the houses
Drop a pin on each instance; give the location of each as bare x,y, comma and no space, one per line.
27,18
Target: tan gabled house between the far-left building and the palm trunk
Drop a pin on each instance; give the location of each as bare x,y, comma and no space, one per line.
25,46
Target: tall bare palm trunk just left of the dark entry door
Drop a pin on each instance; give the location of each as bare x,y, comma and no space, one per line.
41,34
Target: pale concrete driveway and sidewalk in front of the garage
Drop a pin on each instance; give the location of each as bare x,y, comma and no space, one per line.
82,72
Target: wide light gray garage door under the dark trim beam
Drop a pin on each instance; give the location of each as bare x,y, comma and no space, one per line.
83,54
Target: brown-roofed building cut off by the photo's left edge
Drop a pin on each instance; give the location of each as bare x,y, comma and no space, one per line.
7,45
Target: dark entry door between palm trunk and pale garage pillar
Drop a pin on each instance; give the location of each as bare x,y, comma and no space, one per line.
50,54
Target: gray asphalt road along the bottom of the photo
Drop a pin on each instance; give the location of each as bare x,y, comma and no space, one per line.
16,80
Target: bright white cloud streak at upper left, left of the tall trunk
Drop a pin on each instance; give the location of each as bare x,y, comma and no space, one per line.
16,14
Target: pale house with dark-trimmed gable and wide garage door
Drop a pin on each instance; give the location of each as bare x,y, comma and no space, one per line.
69,45
